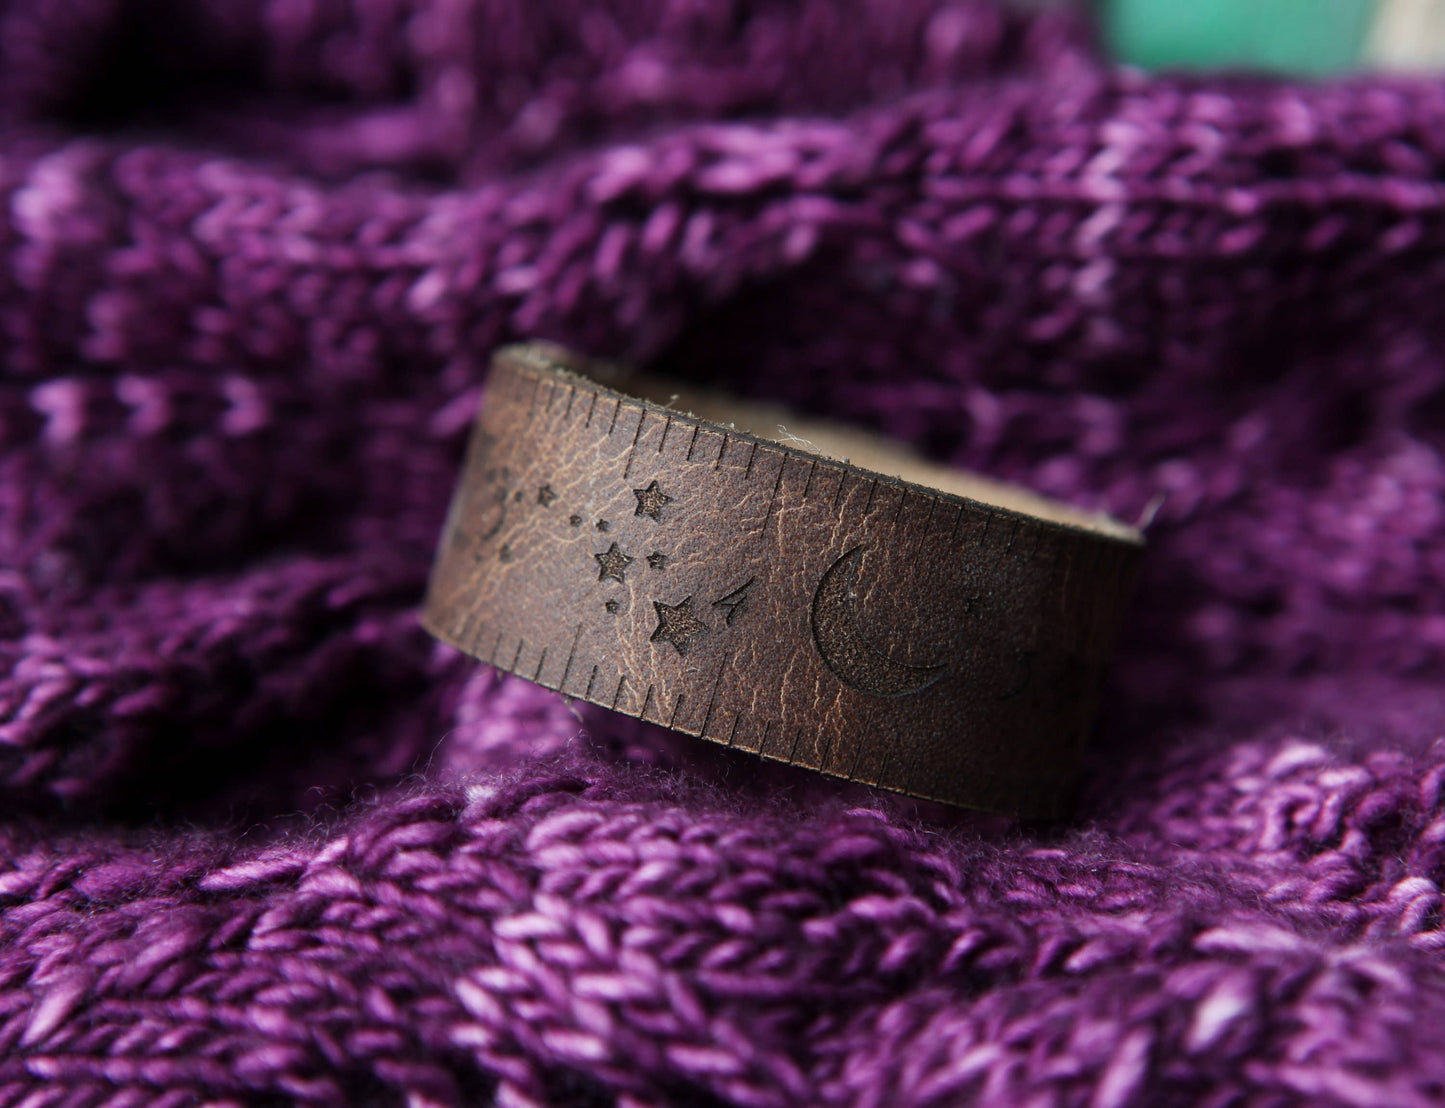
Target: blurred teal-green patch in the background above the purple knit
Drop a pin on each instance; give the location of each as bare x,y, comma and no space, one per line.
1291,37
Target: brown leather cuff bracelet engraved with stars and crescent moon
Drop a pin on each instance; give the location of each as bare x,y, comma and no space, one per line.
939,636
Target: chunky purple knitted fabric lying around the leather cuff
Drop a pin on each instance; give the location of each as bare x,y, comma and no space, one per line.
264,843
